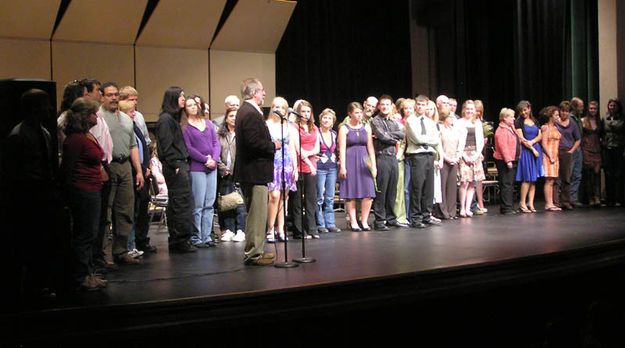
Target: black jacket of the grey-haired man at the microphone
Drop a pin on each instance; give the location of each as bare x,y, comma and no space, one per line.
255,150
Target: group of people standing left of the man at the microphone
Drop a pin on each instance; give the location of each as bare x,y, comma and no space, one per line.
108,163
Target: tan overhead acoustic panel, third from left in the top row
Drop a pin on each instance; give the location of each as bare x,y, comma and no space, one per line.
182,23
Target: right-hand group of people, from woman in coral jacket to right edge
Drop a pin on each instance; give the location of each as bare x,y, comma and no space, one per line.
567,146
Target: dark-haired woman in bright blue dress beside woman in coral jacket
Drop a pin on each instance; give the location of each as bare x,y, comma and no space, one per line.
530,166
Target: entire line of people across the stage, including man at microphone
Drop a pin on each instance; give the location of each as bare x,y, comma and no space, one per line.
413,161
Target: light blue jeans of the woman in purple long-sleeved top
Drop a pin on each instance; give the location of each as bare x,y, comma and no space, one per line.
204,190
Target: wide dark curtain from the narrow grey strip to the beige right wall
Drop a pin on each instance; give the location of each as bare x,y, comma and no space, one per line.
544,51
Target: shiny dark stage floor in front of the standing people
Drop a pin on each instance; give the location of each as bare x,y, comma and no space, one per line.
347,256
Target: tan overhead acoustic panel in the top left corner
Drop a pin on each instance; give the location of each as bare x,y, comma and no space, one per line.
32,19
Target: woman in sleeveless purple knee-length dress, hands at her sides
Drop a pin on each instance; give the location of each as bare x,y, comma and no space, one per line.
357,166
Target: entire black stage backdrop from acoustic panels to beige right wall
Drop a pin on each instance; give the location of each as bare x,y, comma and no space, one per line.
545,51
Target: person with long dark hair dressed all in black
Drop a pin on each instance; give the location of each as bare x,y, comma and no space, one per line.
174,156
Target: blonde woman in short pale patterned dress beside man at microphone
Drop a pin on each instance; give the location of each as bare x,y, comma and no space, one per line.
276,195
